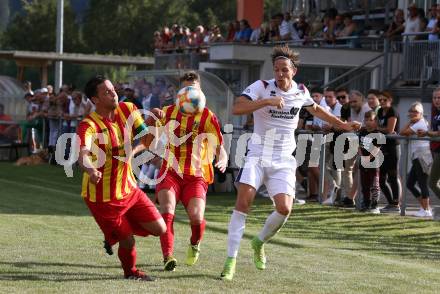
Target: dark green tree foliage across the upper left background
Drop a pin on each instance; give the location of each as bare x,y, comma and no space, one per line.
117,27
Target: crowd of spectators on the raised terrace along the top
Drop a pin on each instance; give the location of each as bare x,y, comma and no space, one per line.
332,28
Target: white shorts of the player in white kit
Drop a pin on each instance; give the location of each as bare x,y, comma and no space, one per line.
278,178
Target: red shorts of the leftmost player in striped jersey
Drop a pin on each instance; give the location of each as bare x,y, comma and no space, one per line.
119,219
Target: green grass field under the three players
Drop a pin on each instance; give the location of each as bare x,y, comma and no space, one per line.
49,243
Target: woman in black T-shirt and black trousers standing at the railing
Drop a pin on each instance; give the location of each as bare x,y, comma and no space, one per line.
390,183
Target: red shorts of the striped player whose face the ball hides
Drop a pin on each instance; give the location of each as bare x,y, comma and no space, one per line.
184,189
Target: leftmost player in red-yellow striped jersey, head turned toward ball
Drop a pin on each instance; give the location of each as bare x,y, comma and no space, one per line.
109,188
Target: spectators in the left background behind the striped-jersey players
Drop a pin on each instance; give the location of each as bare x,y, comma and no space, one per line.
49,114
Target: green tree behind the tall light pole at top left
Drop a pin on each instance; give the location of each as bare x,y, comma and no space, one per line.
35,28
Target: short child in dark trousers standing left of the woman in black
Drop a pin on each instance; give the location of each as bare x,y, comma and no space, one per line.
369,175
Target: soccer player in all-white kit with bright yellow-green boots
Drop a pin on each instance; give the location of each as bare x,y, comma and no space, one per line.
275,105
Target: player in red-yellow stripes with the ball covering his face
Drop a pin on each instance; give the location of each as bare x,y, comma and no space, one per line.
188,167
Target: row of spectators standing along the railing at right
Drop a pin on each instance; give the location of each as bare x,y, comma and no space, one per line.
376,112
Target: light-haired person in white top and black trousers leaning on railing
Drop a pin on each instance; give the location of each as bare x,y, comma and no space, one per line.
421,159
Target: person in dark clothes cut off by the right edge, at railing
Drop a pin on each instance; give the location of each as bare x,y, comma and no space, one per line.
434,178
